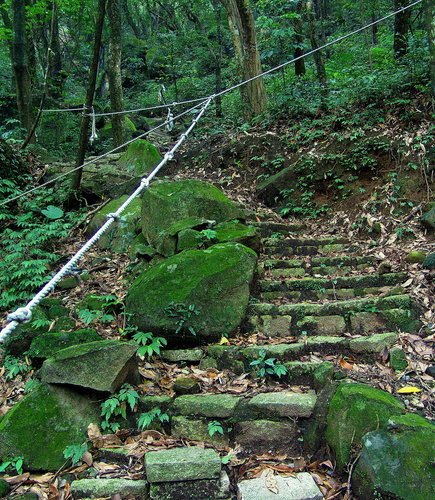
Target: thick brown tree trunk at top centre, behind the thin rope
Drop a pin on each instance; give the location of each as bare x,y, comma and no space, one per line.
242,28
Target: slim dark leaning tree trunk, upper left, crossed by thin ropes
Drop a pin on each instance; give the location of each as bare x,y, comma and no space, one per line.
84,127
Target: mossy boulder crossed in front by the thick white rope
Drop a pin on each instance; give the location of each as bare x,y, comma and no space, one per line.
123,232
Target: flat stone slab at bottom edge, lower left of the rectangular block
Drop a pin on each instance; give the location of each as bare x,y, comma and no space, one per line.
103,488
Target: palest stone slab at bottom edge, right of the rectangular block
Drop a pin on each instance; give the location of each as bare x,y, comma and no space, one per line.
300,487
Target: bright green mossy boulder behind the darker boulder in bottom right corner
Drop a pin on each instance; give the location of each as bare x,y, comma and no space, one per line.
354,410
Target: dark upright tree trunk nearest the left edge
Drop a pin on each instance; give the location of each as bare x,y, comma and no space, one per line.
21,65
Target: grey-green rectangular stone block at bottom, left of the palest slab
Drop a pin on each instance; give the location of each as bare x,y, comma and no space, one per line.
182,464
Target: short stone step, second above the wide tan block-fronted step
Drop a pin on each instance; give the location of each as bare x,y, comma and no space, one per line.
325,266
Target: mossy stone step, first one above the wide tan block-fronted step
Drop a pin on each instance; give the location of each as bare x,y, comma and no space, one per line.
317,288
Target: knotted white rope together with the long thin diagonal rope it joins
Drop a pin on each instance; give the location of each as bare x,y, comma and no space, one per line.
24,314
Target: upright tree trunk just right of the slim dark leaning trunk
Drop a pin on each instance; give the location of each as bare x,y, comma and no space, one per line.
114,69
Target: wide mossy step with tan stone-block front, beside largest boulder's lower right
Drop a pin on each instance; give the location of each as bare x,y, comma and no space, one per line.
358,316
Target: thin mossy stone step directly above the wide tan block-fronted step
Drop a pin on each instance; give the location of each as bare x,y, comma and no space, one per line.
310,286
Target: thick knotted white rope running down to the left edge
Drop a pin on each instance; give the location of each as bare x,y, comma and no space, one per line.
24,314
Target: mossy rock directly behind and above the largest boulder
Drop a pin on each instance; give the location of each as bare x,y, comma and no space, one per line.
167,203
